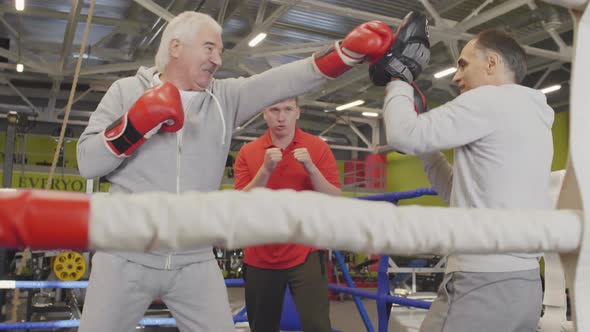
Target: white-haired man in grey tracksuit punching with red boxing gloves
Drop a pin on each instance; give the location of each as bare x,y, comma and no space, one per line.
175,138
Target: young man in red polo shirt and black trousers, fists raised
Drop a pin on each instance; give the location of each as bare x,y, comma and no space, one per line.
286,157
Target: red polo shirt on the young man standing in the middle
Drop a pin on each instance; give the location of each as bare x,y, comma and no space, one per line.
289,174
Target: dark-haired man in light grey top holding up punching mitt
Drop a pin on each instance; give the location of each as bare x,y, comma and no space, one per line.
501,135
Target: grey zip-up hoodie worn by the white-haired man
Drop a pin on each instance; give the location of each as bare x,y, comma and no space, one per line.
194,158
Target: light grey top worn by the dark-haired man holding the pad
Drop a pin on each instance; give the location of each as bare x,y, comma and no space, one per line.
503,147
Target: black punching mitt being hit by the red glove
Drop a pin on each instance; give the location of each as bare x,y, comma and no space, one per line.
408,55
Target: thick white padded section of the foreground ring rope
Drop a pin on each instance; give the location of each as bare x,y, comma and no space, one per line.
235,219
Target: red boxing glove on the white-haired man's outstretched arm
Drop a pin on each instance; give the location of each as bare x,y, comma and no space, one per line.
366,42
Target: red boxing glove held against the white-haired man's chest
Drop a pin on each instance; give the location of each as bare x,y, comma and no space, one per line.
160,108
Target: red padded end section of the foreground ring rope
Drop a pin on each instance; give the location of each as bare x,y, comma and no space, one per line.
44,220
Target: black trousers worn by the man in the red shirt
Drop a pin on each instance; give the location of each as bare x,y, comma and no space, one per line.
308,283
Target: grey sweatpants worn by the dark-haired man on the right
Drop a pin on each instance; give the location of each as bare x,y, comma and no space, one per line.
486,302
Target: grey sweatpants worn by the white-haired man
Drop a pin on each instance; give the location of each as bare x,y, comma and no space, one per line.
120,291
